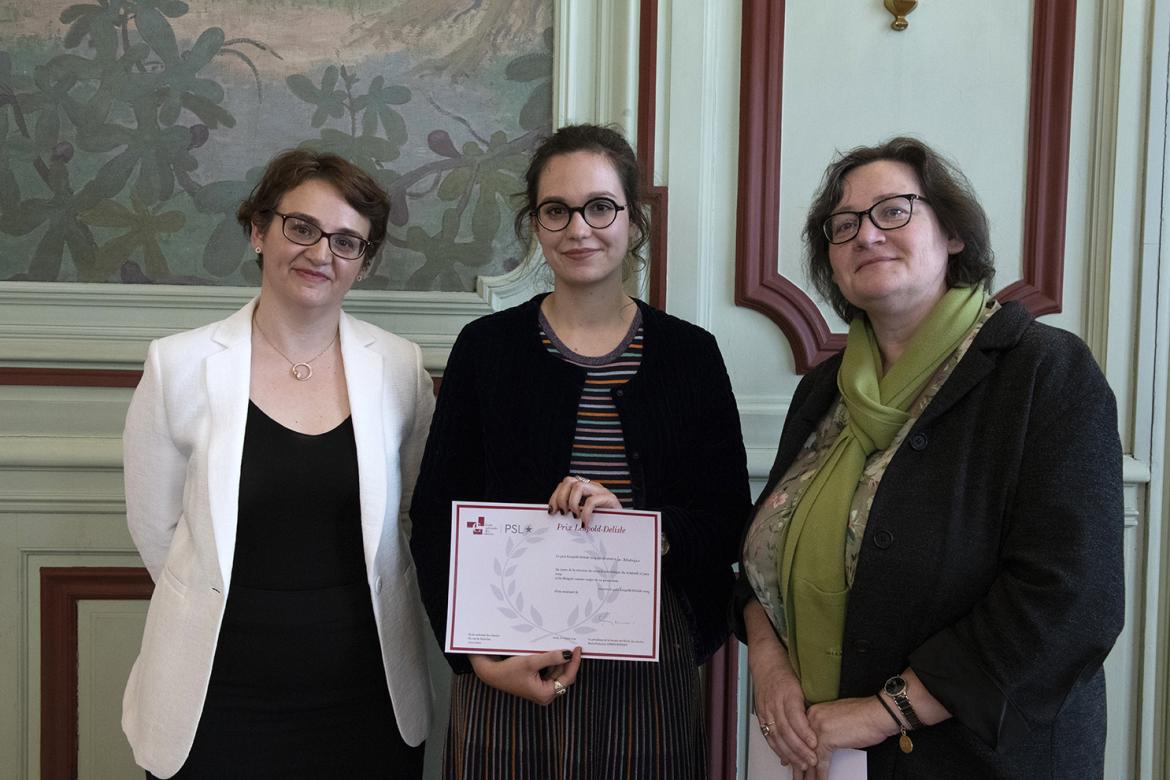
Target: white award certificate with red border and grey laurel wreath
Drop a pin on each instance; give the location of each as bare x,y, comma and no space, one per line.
527,582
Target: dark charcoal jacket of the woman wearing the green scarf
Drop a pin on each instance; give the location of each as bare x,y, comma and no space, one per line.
993,558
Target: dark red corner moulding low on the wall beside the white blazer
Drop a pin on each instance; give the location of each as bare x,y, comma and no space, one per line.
61,590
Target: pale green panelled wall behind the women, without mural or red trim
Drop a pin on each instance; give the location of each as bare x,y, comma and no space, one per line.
60,458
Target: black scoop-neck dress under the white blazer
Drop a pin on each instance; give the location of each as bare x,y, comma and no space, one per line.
298,688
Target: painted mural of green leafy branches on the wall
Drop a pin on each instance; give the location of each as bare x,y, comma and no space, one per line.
130,130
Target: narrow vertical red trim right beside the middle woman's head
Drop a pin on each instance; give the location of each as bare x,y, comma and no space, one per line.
648,123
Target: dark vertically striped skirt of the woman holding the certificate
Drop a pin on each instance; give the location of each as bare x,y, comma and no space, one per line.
621,720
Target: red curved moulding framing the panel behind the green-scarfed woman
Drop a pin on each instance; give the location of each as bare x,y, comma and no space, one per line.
759,284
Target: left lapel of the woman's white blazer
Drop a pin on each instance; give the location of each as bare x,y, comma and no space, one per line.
229,377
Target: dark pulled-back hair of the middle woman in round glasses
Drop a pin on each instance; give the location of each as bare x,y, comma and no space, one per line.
587,139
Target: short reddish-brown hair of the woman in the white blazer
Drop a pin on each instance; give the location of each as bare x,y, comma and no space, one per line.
293,168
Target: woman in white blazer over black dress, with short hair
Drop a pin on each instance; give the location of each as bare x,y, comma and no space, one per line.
269,461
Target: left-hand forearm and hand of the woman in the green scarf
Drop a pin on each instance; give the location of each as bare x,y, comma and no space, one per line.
780,699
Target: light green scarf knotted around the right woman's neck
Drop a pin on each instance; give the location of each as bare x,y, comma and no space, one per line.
811,570
